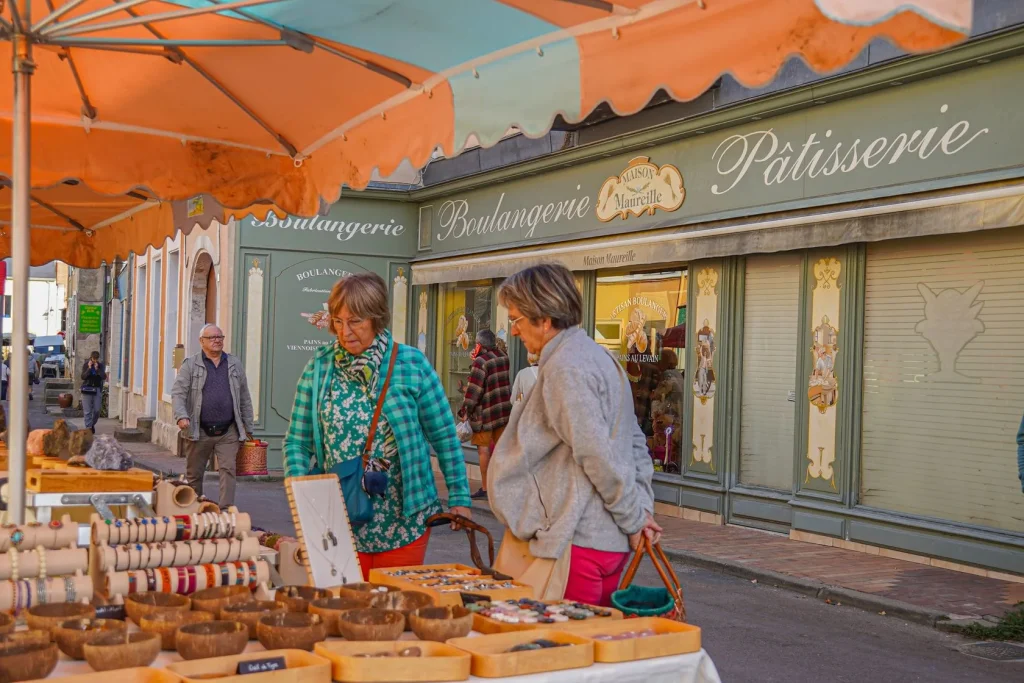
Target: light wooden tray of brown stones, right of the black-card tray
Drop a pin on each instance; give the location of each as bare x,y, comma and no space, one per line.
441,662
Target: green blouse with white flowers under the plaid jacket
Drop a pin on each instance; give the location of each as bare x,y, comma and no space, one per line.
346,420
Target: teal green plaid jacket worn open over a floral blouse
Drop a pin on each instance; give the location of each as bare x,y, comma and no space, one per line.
417,410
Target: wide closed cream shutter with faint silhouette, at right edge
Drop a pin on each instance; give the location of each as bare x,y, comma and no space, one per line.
945,378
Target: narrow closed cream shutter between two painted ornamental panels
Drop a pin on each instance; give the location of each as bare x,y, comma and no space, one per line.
772,311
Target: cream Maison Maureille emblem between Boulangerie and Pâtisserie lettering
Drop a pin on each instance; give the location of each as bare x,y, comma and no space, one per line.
642,189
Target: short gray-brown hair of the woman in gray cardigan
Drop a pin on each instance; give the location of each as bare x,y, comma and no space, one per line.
545,291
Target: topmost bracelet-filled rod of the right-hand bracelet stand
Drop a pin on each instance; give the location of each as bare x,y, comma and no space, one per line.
195,527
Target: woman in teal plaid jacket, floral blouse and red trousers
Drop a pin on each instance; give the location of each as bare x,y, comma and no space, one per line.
335,402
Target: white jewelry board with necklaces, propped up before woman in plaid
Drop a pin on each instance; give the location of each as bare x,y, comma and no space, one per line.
324,531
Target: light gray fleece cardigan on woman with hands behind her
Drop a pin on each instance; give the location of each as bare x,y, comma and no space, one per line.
573,465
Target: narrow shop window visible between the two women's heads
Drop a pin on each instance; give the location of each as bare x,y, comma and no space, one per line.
464,310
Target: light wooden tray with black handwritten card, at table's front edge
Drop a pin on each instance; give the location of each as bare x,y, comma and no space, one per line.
303,667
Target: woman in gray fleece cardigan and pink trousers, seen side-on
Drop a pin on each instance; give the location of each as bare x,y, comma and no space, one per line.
572,471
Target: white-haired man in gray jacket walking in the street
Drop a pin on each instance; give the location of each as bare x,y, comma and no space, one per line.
215,412
